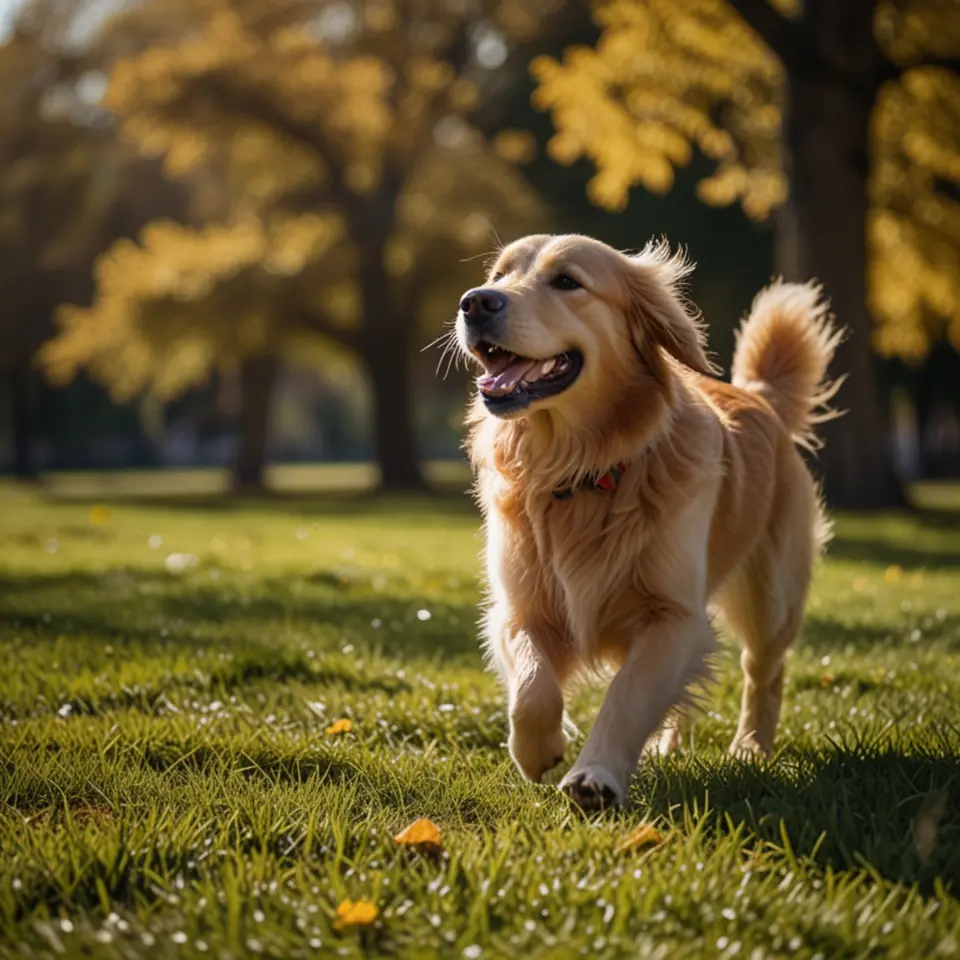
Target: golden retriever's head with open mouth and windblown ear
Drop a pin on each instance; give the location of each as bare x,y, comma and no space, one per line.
563,322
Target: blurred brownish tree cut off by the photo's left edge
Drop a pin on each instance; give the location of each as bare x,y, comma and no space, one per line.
62,178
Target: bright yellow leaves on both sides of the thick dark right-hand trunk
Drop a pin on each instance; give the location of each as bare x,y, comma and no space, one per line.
666,78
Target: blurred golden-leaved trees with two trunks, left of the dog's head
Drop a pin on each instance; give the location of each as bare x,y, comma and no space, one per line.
346,176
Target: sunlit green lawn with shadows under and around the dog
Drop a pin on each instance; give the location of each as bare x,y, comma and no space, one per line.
167,787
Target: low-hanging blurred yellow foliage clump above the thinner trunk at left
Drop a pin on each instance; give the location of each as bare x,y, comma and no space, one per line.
183,299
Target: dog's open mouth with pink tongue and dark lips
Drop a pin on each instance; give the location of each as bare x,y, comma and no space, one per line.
512,382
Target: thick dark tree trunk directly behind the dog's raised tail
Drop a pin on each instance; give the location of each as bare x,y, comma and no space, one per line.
826,155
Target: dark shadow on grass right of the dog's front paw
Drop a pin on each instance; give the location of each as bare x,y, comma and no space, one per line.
895,814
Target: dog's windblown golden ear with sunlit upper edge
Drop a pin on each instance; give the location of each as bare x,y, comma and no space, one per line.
658,316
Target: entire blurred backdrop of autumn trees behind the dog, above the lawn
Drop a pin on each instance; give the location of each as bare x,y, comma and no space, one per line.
254,213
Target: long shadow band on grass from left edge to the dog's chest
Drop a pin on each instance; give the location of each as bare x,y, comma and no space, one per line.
153,606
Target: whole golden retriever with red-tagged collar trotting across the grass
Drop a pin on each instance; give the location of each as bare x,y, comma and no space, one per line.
625,489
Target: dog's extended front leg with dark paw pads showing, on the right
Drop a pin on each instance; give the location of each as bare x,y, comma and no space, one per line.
663,660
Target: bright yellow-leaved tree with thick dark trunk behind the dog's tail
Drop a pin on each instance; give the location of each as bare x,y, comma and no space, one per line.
844,117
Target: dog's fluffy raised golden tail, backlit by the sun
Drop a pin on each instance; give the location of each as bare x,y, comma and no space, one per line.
783,350
